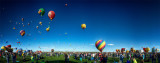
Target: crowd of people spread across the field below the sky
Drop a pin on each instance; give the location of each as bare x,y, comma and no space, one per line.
95,57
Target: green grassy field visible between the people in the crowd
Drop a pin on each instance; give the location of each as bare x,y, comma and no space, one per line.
60,59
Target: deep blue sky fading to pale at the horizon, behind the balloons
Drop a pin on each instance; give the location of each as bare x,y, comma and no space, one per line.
125,24
